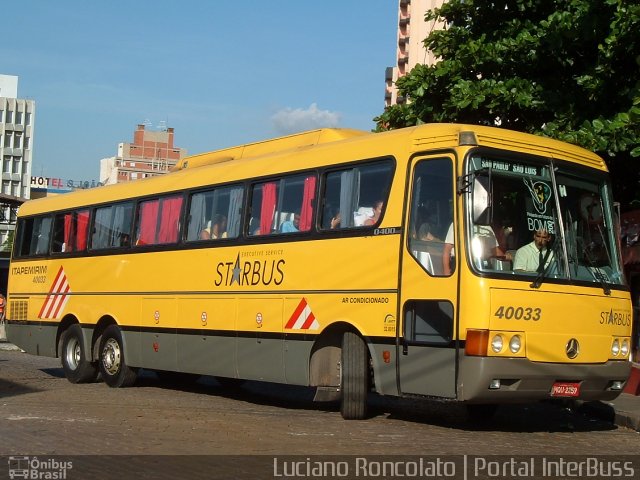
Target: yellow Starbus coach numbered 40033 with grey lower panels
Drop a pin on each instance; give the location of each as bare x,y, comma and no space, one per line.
399,263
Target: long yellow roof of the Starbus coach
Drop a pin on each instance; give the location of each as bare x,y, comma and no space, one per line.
267,157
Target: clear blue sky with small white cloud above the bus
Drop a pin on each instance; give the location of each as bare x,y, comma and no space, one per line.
221,73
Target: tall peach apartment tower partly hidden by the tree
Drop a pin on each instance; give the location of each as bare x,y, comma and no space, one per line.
412,30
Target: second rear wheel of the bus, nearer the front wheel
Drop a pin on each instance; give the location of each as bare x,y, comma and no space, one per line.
115,372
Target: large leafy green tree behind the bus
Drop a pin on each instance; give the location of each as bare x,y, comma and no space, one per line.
567,69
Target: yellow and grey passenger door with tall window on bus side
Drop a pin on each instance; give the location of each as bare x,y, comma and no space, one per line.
428,284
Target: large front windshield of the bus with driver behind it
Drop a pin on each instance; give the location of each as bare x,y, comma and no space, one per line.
548,220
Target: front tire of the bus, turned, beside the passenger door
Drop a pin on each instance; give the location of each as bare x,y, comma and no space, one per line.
354,378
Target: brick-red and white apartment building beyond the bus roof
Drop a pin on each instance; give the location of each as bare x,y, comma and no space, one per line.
151,153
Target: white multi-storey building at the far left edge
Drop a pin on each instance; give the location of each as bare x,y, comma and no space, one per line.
16,142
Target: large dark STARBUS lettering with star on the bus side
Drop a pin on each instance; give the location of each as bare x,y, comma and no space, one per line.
250,273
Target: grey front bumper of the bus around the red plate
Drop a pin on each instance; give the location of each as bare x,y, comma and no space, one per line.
522,380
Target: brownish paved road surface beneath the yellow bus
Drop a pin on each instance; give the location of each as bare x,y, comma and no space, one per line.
41,413
